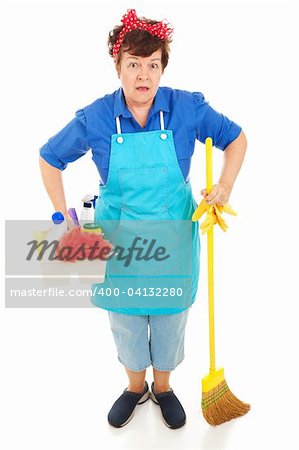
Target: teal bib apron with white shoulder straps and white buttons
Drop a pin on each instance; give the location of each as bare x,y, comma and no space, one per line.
146,200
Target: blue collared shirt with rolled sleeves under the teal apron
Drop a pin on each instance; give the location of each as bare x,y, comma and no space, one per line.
187,114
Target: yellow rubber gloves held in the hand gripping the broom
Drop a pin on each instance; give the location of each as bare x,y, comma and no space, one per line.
214,215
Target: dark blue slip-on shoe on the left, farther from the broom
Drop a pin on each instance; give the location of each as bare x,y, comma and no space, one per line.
122,410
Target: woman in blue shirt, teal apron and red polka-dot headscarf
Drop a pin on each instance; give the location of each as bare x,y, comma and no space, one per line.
142,137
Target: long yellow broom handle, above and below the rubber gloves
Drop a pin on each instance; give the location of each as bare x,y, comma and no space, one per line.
209,176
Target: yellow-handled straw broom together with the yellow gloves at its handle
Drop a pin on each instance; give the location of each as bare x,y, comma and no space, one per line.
218,403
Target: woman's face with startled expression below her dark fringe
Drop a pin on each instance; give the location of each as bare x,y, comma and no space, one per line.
140,77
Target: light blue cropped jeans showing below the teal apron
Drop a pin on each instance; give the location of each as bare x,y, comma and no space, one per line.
142,341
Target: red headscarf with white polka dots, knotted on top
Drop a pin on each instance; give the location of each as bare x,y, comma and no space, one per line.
131,22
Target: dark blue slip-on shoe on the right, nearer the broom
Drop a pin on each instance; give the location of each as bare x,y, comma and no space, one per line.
172,411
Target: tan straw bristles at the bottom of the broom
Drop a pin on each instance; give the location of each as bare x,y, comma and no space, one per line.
220,405
